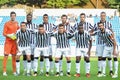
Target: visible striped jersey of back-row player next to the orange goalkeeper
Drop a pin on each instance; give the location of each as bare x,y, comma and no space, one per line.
32,27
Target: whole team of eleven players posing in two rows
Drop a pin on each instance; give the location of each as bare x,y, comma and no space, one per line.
34,41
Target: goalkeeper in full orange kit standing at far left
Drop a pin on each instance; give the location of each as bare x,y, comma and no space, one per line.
10,46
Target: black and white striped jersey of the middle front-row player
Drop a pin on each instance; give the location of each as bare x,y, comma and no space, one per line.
63,39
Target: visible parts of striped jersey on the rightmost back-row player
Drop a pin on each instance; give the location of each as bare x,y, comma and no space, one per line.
98,39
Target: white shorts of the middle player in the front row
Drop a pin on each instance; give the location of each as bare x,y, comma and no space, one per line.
62,51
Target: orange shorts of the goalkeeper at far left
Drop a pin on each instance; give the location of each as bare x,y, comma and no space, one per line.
10,47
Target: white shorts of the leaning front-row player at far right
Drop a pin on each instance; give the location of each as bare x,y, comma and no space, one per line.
108,52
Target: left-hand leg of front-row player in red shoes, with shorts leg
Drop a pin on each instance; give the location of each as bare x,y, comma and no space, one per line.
78,59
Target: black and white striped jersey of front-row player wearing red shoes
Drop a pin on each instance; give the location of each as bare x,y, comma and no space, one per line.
82,40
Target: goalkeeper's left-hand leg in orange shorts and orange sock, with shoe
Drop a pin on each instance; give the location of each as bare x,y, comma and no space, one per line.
7,50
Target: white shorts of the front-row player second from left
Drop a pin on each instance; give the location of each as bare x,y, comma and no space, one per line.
41,51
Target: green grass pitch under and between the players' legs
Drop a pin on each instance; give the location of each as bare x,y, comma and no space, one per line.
83,77
